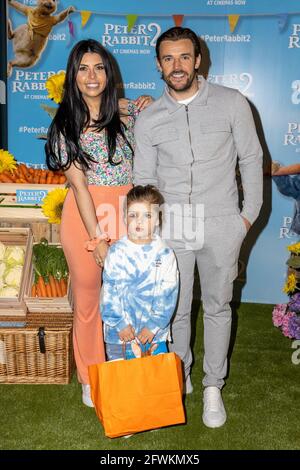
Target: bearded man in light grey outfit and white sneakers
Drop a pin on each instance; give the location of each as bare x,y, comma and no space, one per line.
187,144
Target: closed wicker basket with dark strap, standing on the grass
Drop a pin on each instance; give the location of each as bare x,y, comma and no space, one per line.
21,359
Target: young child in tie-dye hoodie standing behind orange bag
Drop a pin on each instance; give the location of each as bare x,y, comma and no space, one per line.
140,282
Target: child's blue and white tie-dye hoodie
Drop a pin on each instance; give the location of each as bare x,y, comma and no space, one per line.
140,288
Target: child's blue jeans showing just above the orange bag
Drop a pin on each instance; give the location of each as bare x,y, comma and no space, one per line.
133,350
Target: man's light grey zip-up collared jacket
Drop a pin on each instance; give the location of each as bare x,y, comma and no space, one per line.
190,152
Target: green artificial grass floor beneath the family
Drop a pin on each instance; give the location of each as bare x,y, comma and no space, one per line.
261,398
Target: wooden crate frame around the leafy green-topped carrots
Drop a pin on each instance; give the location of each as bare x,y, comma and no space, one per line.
47,304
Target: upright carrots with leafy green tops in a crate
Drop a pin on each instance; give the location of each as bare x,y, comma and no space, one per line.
50,271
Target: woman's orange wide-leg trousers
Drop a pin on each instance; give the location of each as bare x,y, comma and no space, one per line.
85,274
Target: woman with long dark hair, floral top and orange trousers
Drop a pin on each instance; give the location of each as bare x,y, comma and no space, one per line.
93,145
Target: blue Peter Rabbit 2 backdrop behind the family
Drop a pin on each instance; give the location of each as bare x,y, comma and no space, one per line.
259,56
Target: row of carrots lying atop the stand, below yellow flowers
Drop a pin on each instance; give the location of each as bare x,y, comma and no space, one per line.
24,174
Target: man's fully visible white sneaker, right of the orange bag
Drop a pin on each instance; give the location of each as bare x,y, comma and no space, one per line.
214,414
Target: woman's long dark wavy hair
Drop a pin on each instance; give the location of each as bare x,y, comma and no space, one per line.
73,116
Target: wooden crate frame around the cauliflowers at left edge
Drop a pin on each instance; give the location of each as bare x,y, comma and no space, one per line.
15,306
